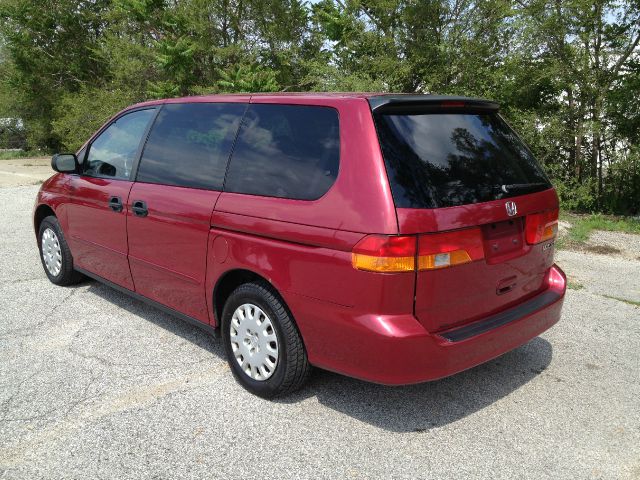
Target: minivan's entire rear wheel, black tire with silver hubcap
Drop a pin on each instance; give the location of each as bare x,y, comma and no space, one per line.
264,348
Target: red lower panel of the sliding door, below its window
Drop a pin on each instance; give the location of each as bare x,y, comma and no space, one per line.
168,247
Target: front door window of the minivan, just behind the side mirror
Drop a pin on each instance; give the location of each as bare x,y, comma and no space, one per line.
112,154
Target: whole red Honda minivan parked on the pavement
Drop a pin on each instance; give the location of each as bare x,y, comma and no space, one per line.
392,238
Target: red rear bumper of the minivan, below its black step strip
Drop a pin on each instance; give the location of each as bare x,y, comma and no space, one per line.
397,350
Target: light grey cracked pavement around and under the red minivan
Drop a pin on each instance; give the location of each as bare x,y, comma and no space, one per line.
94,384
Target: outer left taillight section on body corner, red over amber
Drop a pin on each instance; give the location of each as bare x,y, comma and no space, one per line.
383,253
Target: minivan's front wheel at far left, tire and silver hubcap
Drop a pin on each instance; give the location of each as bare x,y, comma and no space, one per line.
55,254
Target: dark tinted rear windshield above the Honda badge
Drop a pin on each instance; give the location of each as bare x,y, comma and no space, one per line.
438,160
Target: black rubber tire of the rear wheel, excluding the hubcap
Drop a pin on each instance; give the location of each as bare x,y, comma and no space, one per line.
292,369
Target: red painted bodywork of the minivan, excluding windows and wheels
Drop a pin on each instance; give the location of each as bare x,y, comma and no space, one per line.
375,326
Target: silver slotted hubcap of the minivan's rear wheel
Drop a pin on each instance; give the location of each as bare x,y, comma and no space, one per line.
254,342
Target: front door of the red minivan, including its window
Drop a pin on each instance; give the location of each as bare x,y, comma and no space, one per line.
97,216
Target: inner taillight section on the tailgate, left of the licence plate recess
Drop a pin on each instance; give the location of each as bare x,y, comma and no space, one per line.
441,250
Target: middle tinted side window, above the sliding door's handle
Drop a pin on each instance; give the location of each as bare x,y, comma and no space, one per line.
189,145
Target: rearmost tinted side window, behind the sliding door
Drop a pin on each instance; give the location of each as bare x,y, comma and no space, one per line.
286,151
